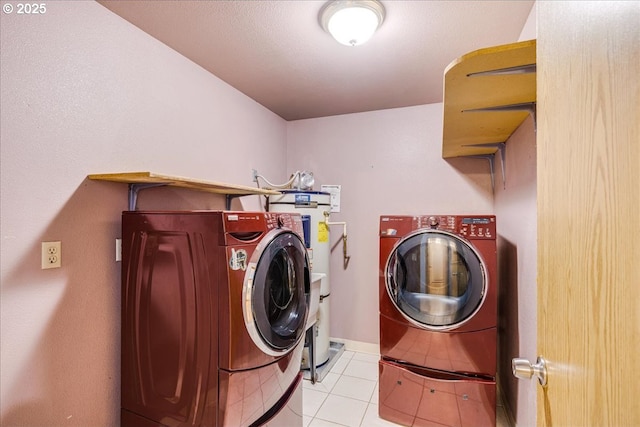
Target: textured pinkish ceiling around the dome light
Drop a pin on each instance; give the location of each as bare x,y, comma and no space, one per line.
276,52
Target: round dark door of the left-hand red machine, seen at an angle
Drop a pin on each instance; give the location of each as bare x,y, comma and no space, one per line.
276,292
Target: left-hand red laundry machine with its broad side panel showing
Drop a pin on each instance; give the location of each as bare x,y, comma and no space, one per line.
214,307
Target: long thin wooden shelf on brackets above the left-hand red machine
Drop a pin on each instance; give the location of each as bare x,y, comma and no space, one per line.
141,180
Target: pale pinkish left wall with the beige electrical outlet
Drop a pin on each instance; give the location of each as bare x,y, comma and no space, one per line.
83,91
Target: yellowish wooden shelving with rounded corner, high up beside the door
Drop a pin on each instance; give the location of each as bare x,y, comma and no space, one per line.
488,93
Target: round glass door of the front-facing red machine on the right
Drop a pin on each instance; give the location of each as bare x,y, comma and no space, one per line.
436,279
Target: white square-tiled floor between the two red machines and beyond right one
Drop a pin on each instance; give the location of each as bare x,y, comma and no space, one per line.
348,395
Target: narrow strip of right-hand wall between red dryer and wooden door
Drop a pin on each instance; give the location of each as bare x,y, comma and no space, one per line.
516,211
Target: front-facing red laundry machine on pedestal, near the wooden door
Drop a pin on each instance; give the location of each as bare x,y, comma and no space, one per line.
438,320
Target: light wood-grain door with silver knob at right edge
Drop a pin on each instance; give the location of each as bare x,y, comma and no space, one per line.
588,145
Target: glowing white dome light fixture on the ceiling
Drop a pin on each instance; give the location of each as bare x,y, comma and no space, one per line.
352,22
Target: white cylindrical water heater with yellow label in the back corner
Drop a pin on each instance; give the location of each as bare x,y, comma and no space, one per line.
313,205
